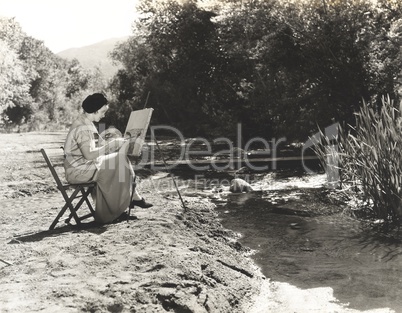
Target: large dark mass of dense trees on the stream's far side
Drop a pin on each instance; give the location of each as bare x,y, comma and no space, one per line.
279,68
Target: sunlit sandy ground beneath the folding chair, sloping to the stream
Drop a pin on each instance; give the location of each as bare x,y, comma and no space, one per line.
165,259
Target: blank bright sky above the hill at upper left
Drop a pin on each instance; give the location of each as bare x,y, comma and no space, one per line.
64,24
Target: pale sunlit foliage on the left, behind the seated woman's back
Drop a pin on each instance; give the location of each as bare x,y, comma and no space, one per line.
38,89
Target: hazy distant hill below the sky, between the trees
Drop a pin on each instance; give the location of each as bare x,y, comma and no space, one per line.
95,55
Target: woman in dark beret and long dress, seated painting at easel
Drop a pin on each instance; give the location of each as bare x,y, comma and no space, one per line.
106,164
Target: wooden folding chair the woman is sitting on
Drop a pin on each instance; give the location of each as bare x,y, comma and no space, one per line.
74,195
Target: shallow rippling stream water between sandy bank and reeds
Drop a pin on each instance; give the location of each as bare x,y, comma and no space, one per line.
302,239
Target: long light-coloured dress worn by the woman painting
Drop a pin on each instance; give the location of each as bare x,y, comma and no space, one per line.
112,172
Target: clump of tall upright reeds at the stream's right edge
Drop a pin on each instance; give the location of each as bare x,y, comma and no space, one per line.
370,161
